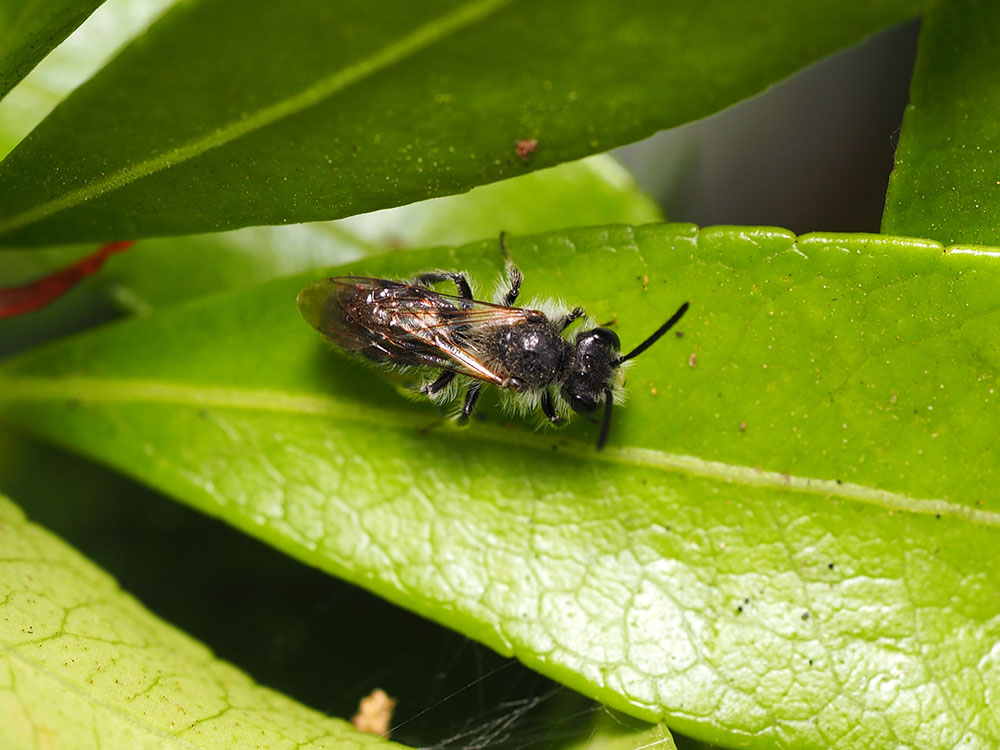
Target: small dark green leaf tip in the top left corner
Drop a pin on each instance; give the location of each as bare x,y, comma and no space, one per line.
30,28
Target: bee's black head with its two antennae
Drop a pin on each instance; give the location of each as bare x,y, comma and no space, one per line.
591,376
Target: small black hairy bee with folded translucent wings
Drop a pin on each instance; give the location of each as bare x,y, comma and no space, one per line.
527,353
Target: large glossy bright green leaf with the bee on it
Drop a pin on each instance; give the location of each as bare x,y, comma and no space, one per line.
784,544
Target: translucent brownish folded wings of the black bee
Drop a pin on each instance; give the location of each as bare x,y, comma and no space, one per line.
407,324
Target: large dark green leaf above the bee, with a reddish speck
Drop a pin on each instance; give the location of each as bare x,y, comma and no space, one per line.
313,110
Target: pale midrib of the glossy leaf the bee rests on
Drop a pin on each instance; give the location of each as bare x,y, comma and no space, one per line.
112,390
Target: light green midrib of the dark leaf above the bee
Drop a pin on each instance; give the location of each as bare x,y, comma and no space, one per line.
420,38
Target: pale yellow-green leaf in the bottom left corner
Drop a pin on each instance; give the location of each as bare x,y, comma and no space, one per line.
83,665
